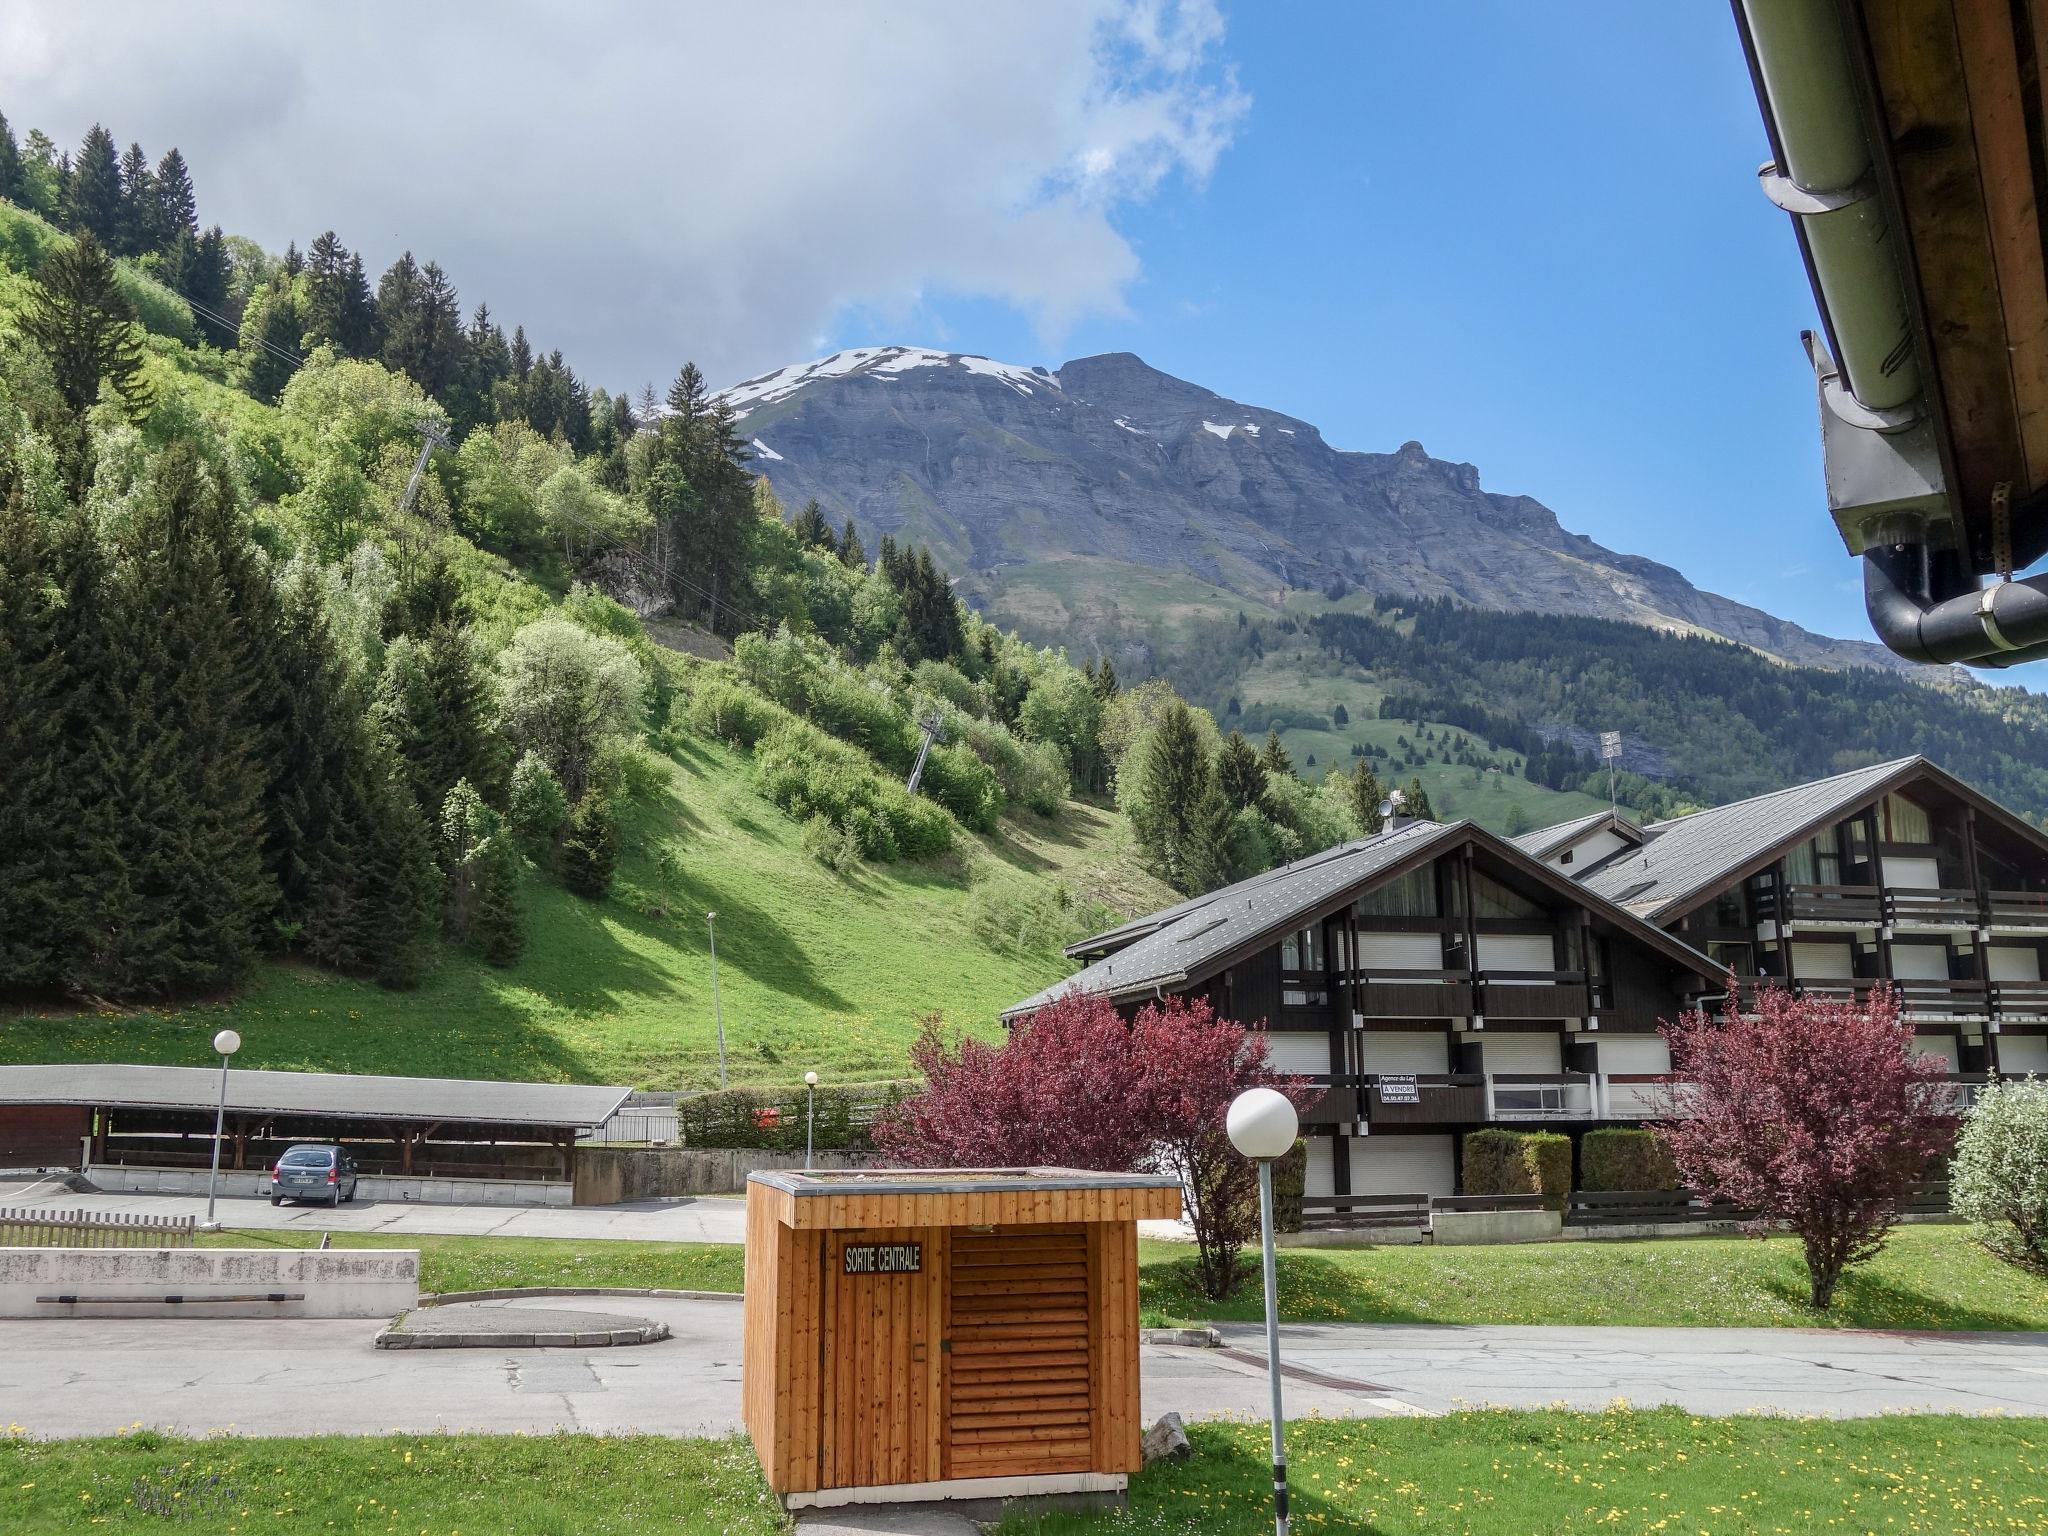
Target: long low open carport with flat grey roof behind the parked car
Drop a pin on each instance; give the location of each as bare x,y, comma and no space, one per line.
431,1127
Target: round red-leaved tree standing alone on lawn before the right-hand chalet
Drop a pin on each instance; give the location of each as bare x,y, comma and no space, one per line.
1820,1117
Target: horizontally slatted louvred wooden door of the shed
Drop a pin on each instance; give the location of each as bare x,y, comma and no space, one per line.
1019,1363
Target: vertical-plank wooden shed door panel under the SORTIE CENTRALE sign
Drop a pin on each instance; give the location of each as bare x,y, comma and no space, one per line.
882,1379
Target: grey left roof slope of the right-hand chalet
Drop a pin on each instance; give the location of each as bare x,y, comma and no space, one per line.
1697,853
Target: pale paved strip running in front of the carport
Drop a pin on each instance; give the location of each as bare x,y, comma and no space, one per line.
710,1220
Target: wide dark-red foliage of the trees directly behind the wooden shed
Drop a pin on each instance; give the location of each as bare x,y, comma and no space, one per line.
1076,1086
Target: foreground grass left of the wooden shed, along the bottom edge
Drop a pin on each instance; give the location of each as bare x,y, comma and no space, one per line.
439,1486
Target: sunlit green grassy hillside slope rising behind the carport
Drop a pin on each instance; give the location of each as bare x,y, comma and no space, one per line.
816,970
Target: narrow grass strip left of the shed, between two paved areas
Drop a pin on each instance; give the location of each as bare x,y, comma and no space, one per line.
495,1263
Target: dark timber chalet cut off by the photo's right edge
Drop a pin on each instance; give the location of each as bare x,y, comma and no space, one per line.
1897,873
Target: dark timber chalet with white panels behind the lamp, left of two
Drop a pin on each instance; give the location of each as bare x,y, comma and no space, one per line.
1433,980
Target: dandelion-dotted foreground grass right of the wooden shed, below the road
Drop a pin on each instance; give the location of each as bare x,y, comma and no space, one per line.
1504,1474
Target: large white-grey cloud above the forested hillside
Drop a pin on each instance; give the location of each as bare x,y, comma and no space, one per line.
642,183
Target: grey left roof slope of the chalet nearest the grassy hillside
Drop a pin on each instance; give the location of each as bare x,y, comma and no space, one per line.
1234,916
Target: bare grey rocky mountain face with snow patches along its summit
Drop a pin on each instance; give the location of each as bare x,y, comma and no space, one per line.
998,466
